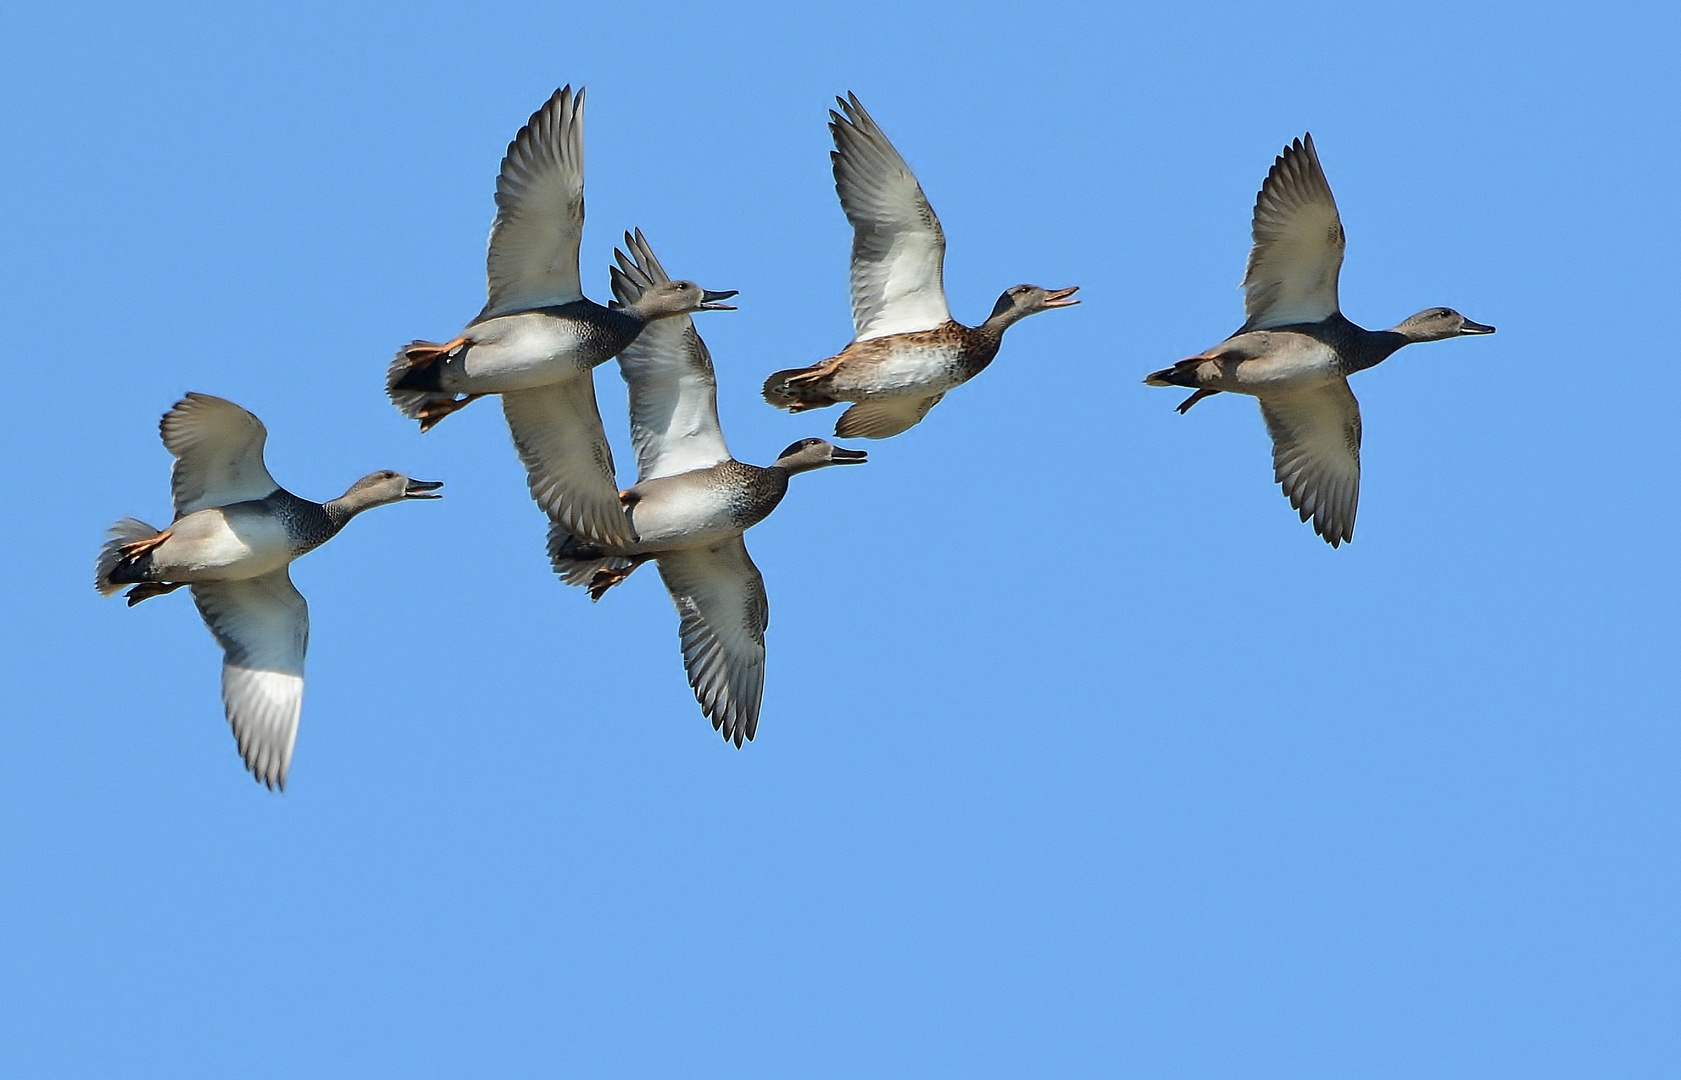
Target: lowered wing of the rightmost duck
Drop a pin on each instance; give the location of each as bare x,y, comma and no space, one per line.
1317,455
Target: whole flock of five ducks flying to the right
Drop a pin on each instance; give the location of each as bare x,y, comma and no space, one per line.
539,341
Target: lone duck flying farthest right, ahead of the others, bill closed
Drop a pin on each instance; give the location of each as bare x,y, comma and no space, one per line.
1297,351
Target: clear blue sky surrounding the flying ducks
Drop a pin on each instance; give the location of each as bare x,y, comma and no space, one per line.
1080,754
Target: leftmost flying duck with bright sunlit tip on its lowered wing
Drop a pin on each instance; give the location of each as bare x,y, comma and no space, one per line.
234,534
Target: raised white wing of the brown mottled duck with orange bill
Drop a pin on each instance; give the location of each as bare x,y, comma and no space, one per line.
898,248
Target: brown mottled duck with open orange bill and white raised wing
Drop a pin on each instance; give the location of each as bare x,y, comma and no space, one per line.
907,349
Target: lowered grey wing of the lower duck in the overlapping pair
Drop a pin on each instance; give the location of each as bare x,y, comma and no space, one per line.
720,598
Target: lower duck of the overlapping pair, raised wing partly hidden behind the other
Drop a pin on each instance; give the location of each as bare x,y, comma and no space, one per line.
690,507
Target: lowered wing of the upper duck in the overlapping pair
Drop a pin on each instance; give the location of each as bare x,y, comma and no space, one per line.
569,467
